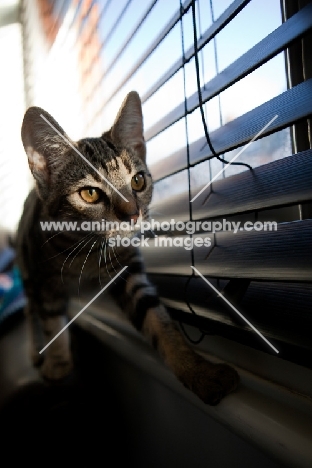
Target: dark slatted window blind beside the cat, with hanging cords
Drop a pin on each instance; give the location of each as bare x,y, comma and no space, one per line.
253,66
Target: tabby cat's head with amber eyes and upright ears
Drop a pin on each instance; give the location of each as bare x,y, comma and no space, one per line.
94,179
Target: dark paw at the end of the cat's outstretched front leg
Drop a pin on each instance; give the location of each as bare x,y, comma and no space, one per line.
211,382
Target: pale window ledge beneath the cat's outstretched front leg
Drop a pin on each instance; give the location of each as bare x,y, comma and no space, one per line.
270,416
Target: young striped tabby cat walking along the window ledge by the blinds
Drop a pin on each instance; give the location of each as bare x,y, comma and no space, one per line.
67,188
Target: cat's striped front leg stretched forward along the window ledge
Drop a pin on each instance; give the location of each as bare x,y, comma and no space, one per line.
210,382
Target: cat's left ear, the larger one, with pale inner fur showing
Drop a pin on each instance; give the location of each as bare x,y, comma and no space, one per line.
43,140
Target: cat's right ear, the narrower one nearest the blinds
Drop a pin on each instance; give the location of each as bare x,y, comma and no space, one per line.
127,130
